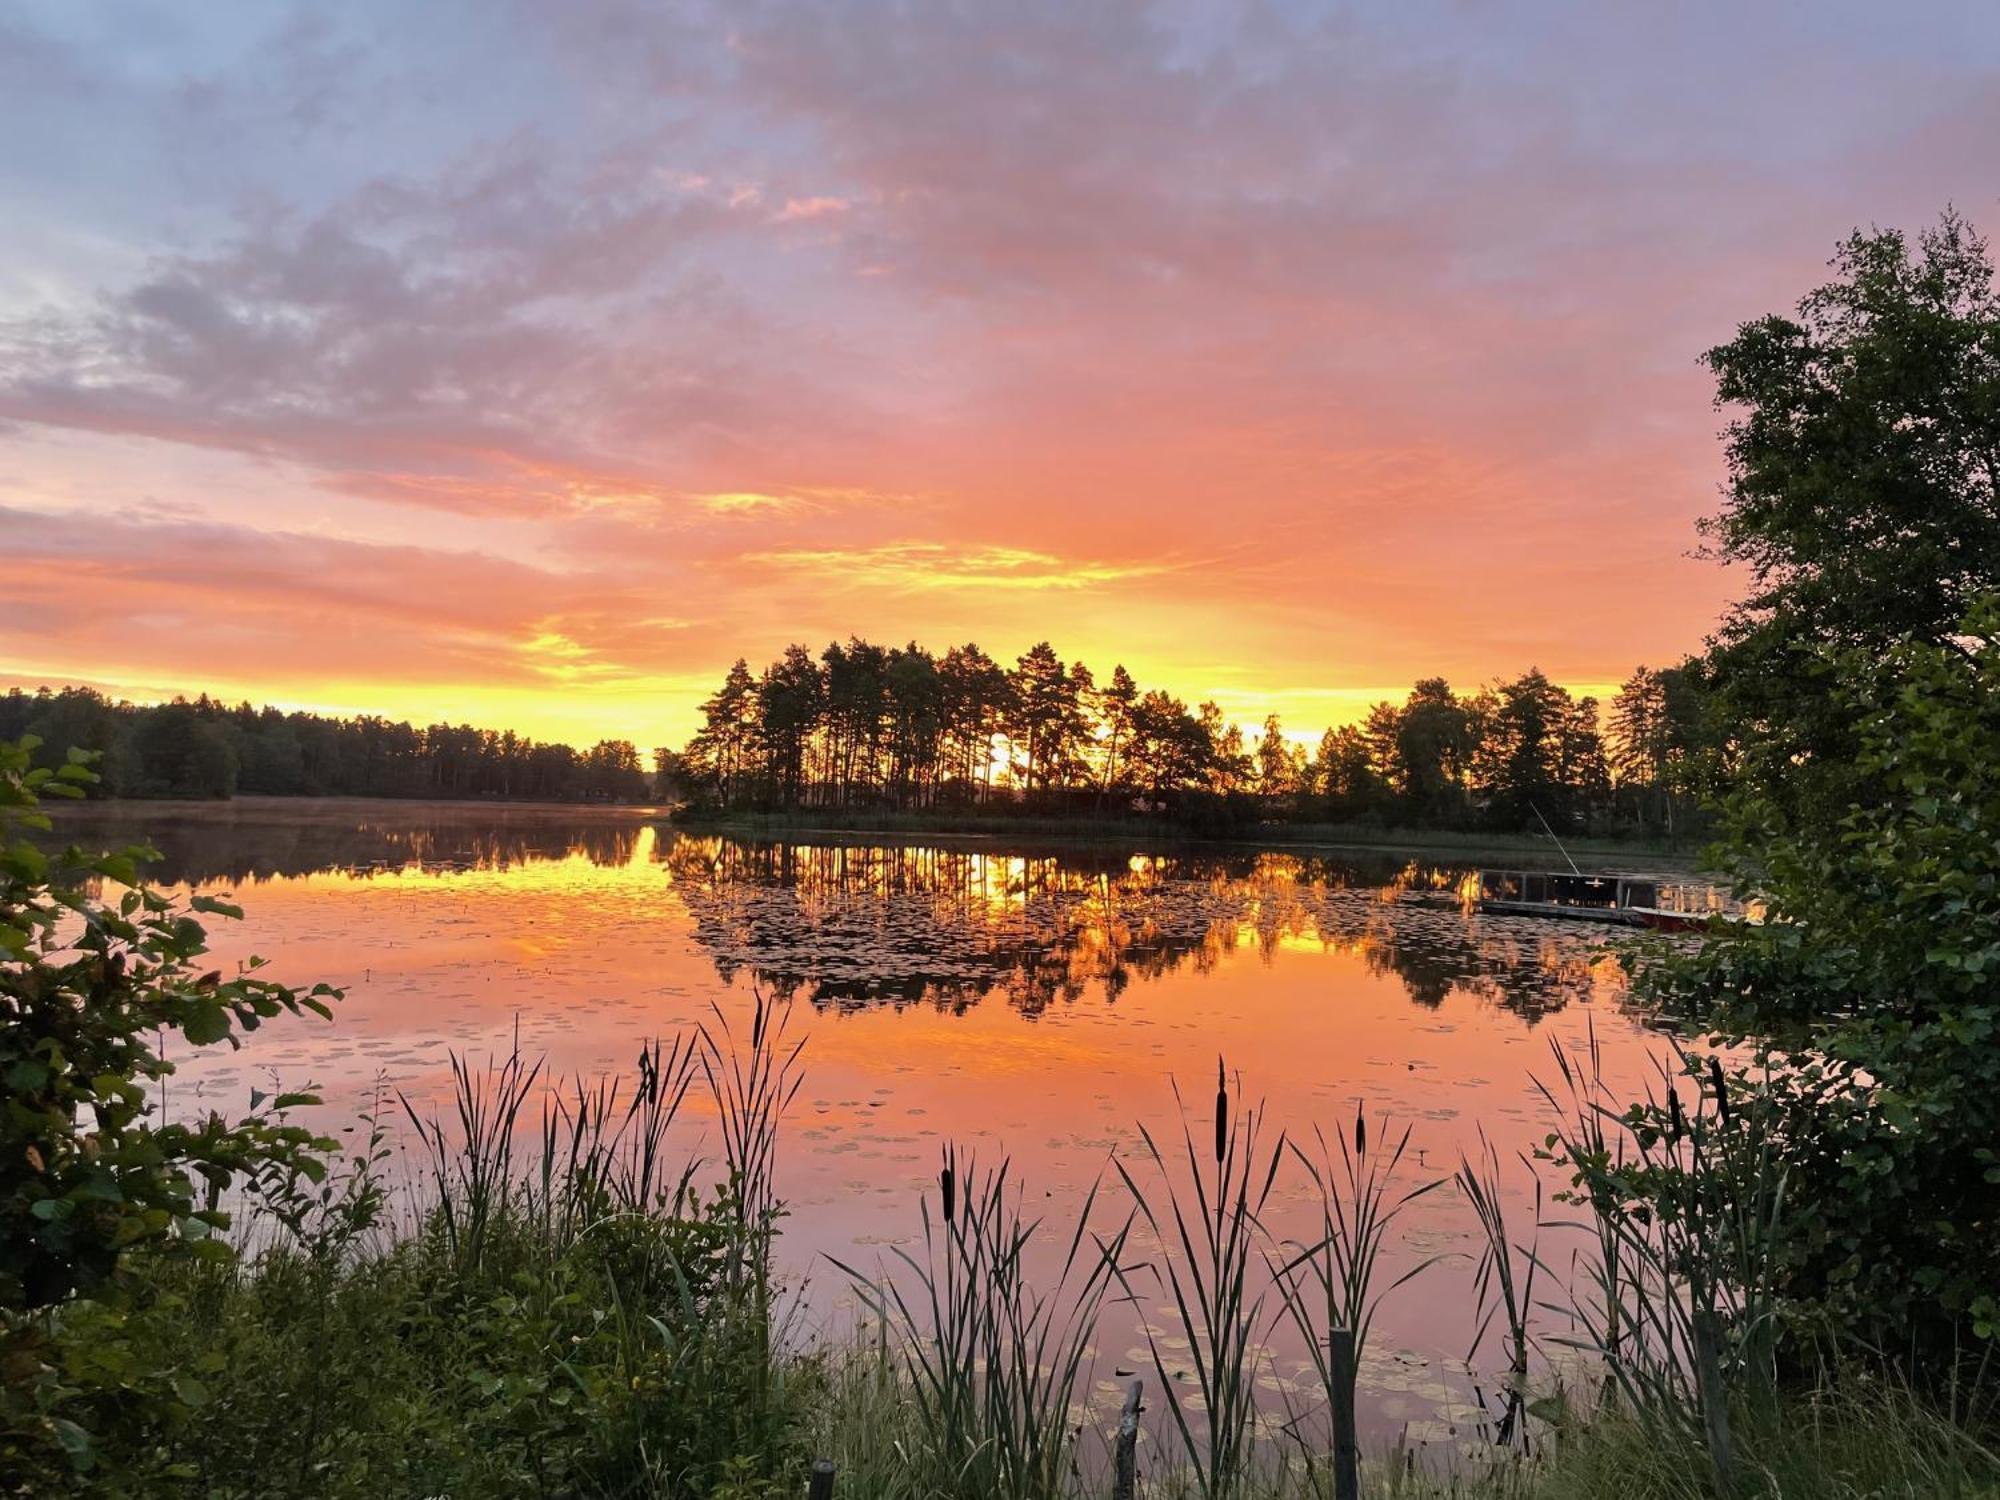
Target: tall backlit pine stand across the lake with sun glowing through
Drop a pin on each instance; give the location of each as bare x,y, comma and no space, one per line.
899,727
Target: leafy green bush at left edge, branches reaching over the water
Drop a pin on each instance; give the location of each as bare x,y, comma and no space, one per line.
95,1181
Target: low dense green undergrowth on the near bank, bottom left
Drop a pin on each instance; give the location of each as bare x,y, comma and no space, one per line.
543,1371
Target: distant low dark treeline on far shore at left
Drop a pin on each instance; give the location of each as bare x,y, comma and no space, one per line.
207,749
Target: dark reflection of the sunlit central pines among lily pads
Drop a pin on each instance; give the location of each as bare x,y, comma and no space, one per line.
851,925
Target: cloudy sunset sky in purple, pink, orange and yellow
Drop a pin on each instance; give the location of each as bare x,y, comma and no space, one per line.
529,363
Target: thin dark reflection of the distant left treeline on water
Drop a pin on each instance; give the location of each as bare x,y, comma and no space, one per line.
215,847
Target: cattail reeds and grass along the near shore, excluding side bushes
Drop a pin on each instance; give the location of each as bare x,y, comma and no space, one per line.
581,1305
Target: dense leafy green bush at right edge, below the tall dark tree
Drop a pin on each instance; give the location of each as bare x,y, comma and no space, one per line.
1871,1001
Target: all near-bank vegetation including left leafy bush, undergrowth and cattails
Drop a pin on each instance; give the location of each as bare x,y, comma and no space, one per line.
569,1297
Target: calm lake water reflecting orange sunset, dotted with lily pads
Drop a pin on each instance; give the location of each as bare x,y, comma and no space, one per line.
1025,1001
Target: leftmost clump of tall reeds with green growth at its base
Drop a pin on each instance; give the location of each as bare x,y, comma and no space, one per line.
679,1271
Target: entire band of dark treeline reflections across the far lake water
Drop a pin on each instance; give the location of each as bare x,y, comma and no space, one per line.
851,925
